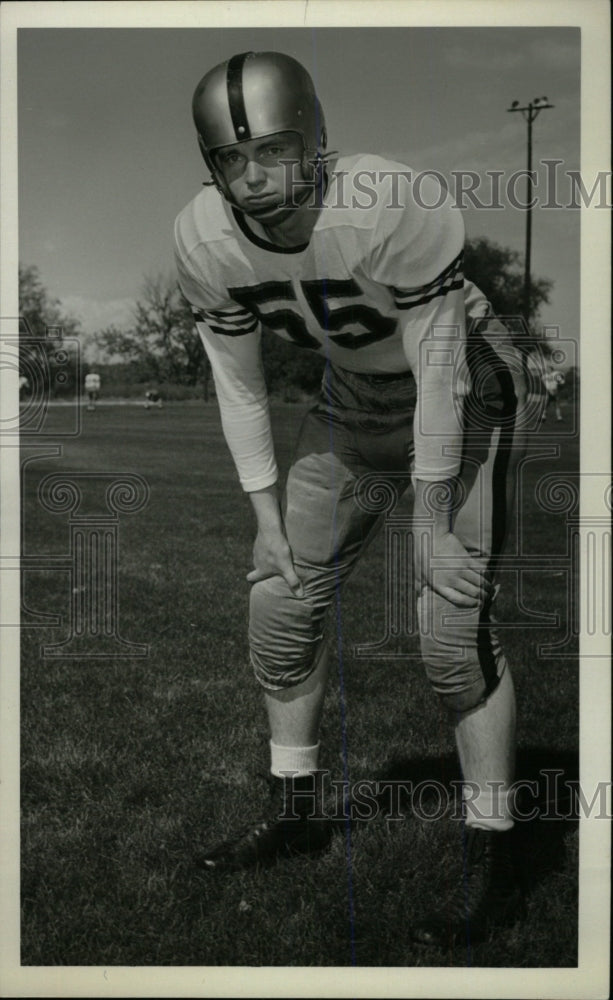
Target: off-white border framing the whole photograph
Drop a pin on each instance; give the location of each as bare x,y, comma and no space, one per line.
591,977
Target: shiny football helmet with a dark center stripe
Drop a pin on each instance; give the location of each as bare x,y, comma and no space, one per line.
256,94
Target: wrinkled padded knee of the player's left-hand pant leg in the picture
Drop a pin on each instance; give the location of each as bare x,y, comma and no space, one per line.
284,634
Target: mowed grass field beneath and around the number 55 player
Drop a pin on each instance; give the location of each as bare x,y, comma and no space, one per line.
130,766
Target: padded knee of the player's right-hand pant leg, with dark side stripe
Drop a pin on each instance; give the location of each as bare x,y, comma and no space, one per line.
461,653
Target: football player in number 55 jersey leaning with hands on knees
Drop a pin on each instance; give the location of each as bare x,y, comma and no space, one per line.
285,237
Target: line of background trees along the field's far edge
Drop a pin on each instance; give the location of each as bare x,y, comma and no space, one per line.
161,347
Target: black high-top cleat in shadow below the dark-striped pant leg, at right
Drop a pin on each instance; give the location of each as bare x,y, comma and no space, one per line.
487,896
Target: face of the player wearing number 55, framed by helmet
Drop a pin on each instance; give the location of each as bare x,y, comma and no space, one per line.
263,175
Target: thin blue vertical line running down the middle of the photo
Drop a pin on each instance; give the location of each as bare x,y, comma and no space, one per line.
339,624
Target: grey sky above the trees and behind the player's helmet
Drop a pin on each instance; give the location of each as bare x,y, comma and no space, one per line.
108,156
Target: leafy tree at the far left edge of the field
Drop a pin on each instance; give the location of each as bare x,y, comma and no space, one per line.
46,358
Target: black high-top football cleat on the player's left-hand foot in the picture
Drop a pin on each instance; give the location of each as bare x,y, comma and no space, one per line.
292,828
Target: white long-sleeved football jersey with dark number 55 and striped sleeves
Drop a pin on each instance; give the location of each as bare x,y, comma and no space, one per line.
381,273
